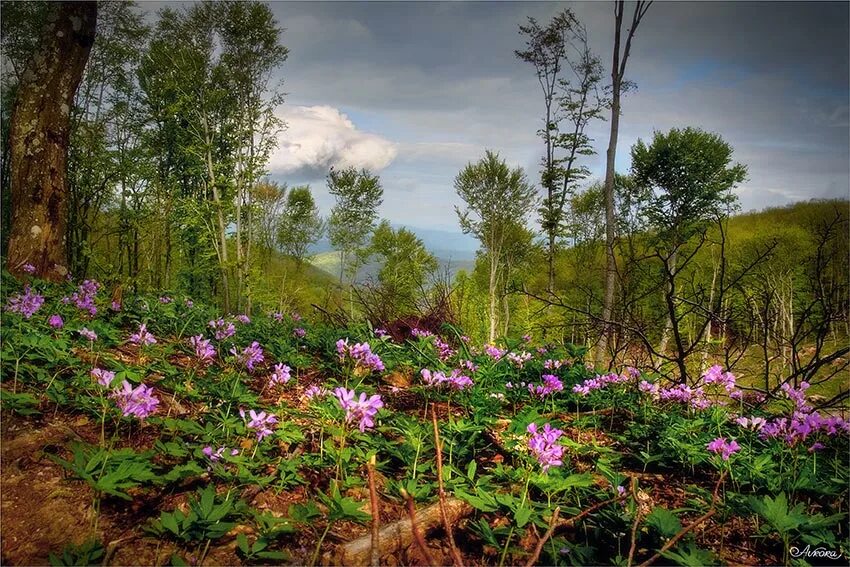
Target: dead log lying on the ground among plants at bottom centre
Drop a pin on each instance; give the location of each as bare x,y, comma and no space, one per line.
397,537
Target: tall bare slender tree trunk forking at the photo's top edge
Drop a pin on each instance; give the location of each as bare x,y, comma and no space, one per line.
618,73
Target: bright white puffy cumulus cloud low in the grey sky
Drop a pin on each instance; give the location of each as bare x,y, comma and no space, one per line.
318,137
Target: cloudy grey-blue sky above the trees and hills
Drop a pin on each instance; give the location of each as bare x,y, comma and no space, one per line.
416,90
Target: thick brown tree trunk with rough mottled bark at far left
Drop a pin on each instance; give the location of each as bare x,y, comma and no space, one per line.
38,140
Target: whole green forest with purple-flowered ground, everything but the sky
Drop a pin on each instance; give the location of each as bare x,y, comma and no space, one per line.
201,367
